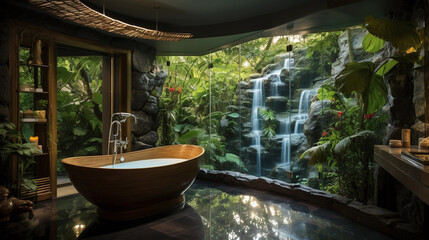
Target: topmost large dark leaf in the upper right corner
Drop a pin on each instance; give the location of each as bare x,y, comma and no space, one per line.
401,34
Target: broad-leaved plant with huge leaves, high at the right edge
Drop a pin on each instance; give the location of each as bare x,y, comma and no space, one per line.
365,78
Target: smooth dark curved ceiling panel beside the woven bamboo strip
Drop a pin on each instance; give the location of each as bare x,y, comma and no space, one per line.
217,24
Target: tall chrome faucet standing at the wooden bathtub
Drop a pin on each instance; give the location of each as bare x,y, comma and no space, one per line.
121,117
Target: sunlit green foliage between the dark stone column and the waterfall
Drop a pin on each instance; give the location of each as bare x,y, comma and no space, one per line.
185,117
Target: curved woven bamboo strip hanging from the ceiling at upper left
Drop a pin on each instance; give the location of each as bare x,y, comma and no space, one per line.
76,11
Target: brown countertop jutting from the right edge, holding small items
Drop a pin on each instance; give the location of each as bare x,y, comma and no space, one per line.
413,175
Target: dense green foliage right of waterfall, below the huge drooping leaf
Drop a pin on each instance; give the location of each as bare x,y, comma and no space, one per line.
344,153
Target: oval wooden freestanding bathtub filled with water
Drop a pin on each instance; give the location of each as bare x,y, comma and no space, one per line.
148,182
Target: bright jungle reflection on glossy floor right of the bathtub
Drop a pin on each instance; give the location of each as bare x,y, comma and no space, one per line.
239,215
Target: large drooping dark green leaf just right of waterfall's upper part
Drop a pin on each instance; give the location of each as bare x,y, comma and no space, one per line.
360,77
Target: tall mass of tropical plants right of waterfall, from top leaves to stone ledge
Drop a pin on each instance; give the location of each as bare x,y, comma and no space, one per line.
347,144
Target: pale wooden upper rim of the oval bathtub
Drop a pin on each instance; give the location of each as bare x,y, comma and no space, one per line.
77,161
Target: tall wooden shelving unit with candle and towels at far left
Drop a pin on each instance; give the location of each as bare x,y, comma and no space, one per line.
42,173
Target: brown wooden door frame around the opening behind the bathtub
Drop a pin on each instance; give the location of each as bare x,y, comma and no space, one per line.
123,57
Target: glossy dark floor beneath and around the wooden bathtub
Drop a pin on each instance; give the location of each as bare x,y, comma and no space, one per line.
212,211
